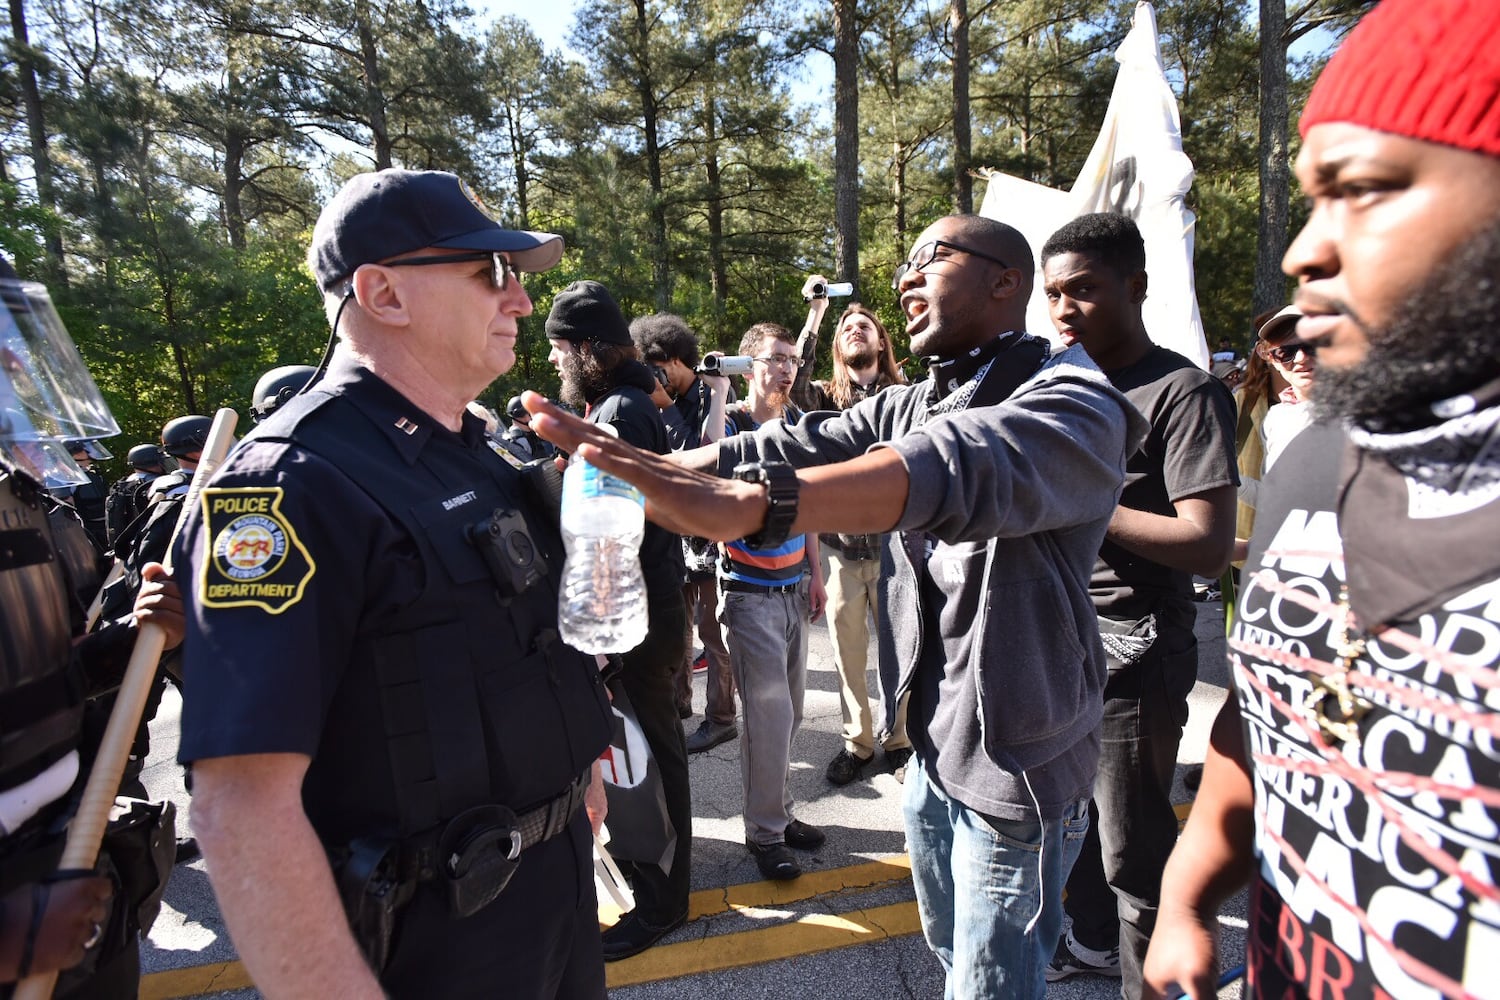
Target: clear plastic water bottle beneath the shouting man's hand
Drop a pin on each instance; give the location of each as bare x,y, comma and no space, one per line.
604,602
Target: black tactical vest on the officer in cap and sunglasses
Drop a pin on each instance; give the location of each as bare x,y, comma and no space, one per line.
482,702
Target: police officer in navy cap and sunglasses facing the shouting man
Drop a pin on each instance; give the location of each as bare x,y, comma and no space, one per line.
377,707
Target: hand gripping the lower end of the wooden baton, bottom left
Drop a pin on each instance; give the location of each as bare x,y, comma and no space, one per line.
74,912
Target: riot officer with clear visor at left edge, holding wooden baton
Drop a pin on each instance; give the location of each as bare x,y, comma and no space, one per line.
82,923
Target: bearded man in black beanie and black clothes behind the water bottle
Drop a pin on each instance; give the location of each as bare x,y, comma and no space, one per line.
601,371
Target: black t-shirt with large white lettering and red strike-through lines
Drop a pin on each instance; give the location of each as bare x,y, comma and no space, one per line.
1378,855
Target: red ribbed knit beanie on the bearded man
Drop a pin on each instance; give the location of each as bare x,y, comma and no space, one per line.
1427,70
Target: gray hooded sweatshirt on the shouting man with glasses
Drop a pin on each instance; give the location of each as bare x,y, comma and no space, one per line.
1006,510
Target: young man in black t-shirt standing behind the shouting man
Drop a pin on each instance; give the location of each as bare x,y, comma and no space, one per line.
1175,519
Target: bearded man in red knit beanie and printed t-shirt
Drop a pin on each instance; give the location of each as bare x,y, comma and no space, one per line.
1355,779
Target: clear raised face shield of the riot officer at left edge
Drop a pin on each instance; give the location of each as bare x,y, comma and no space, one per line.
47,395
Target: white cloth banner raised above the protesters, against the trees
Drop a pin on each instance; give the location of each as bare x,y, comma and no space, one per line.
1138,169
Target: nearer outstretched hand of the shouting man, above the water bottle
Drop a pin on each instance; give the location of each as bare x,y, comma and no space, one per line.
680,500
